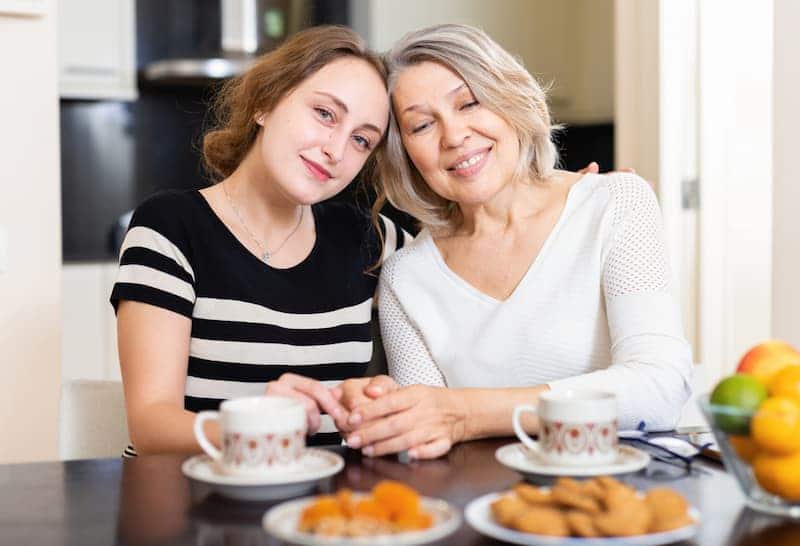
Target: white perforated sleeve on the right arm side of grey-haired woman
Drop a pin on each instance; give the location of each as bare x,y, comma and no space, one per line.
651,363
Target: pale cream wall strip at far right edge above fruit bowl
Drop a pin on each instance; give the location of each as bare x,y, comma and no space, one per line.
786,190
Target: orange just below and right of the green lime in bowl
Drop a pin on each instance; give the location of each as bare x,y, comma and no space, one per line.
776,425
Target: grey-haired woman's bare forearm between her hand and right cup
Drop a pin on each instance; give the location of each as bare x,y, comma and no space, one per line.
487,412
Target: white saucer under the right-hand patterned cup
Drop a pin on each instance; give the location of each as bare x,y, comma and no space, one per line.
528,463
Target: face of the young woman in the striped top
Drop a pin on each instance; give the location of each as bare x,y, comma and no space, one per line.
317,138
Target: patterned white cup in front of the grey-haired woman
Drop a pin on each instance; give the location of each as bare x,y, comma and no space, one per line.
577,427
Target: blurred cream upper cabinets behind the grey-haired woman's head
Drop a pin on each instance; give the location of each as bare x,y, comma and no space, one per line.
568,43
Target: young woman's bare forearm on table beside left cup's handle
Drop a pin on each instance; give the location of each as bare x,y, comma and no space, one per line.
166,428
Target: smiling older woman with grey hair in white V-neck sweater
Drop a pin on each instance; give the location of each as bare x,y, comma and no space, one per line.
525,278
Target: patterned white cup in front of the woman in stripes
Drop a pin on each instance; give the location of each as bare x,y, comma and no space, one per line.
259,434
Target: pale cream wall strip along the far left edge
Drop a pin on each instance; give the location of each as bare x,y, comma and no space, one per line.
30,216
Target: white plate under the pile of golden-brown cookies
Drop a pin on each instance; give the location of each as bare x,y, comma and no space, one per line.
479,516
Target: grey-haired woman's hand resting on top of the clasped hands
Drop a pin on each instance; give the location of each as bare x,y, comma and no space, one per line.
424,420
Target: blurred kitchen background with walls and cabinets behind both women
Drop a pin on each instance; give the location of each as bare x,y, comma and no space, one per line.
103,102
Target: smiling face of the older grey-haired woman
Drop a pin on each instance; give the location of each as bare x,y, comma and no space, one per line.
465,152
